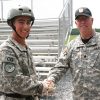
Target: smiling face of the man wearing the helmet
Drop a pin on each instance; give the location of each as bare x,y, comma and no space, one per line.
23,25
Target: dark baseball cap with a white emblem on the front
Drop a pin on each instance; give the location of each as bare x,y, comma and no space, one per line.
82,11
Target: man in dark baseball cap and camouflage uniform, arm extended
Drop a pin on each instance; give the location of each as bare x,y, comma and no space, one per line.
82,57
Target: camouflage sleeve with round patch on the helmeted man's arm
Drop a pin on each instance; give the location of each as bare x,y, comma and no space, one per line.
13,79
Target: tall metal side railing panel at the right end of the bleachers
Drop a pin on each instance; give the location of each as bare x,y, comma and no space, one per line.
65,24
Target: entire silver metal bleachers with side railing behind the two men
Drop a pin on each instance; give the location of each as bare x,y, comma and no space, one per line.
46,38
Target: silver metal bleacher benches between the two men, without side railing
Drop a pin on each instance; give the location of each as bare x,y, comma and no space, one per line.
44,43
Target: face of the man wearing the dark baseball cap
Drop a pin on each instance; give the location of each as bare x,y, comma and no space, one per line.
84,24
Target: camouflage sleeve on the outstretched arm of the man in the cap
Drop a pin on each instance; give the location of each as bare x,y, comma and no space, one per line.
61,67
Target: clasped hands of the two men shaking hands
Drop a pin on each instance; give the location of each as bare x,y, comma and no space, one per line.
48,87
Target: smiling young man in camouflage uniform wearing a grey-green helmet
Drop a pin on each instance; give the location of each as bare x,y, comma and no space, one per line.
18,80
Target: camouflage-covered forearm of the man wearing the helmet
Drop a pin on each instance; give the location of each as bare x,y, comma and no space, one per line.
23,85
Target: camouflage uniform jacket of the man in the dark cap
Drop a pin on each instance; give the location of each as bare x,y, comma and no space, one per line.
84,63
